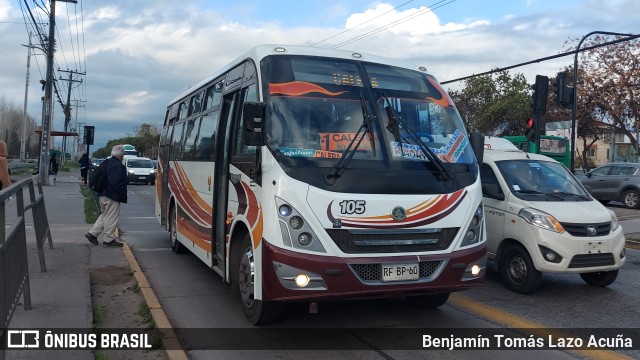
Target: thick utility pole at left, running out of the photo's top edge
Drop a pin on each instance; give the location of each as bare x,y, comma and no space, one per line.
47,106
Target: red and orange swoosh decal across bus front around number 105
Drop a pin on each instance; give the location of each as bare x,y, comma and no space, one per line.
421,214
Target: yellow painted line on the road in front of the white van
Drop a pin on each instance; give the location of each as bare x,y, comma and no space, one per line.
512,321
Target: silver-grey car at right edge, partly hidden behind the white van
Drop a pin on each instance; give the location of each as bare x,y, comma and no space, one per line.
614,182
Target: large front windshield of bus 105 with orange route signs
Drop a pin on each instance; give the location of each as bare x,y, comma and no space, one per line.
317,107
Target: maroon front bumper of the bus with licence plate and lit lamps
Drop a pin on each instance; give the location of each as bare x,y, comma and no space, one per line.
335,278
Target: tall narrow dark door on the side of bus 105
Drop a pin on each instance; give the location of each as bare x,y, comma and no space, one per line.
221,179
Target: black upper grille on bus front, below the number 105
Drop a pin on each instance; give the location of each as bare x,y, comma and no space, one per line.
390,241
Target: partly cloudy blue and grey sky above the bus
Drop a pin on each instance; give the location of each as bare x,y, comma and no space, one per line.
137,55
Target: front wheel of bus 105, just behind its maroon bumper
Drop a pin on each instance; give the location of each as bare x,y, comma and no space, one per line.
257,311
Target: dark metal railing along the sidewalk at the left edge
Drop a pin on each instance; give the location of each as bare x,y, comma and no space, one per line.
14,269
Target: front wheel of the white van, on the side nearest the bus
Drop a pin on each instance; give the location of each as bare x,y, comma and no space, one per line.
517,270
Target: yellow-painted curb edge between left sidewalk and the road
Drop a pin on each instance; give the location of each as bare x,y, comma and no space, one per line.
169,338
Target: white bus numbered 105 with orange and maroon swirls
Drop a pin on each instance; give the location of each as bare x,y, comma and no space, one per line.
311,174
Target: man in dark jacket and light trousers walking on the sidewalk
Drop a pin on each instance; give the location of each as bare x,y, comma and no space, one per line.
110,199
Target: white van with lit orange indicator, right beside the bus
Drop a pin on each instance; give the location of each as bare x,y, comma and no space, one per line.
539,218
